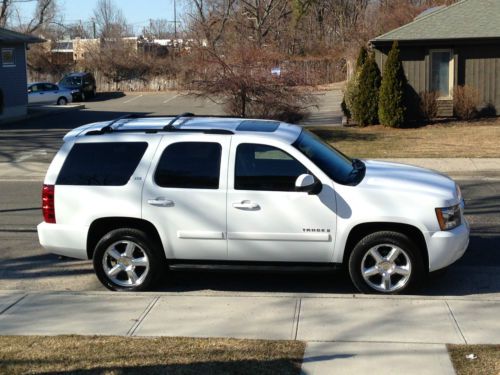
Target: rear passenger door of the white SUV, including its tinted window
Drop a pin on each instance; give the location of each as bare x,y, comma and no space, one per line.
185,195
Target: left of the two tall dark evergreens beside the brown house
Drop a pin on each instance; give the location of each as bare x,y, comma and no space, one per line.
365,106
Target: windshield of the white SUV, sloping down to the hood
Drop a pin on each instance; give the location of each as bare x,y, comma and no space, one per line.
332,162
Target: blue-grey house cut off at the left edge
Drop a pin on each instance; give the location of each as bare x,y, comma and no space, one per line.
13,81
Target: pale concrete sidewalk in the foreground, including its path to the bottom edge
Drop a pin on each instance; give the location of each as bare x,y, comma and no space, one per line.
344,334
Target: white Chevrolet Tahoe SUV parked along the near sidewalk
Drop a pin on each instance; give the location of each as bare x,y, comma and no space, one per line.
140,196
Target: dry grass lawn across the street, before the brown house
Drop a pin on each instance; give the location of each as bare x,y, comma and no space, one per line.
480,139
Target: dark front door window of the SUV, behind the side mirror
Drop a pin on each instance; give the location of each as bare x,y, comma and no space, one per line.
261,167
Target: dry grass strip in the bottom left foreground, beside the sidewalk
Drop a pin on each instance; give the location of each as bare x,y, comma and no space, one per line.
132,355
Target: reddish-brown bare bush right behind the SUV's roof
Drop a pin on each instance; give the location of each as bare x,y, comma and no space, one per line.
241,81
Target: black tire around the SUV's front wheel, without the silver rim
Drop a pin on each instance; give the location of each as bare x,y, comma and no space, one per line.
386,237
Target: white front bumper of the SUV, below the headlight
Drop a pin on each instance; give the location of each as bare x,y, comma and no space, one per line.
446,247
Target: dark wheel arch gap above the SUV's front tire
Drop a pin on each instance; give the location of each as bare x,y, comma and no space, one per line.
364,229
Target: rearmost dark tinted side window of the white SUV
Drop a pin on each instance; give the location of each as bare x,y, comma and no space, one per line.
103,164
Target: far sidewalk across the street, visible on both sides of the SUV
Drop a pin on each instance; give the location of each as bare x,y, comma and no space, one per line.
455,167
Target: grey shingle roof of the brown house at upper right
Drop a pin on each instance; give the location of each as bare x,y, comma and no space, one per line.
467,19
